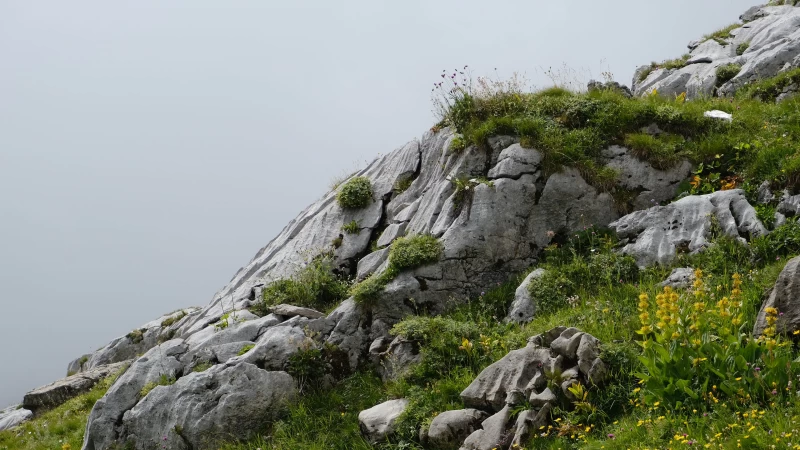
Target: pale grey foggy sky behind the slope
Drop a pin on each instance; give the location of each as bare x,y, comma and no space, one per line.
148,149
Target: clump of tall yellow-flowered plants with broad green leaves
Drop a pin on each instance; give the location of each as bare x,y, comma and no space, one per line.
696,352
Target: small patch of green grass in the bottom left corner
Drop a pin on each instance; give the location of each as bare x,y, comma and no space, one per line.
62,425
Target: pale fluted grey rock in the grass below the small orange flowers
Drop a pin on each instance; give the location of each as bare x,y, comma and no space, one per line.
656,234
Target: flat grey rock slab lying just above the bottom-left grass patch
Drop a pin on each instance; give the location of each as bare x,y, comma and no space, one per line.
58,392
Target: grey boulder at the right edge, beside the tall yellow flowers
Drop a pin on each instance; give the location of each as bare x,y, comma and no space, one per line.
785,297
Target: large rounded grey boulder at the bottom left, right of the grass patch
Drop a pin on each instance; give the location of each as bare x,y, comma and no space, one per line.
203,408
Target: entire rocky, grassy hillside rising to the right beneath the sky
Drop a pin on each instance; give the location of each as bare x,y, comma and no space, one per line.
615,268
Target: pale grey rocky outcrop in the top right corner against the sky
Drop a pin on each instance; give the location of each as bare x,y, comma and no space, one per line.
766,43
